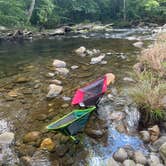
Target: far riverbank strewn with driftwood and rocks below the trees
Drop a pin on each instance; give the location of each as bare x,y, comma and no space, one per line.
83,30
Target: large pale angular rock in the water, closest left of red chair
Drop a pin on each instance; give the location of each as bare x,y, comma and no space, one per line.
54,90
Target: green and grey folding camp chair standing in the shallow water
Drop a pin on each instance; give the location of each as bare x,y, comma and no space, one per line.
71,123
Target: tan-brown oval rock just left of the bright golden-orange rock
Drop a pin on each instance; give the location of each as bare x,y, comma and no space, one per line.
31,136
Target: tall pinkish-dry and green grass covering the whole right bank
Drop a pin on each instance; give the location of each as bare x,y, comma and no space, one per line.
150,88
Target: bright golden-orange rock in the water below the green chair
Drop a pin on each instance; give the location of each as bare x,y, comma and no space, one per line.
48,144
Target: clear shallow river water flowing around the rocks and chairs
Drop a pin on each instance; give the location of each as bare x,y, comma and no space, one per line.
29,110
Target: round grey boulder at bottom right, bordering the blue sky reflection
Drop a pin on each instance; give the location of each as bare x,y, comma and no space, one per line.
120,155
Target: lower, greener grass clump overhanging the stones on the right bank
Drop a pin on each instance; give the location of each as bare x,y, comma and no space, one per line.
147,94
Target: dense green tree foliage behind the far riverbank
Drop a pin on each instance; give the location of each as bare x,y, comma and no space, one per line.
49,13
